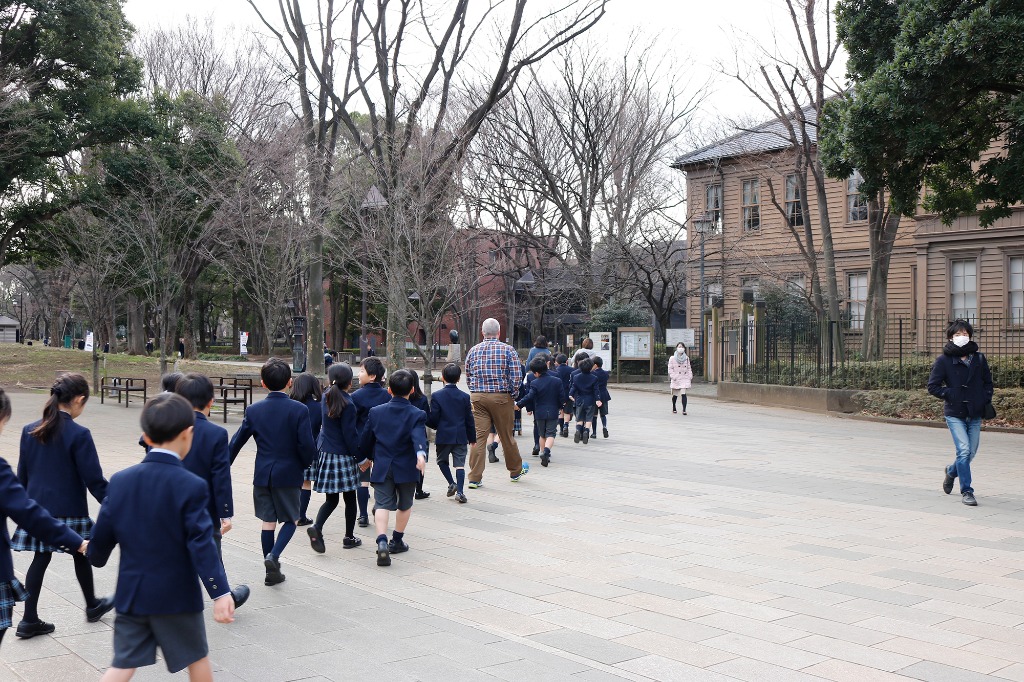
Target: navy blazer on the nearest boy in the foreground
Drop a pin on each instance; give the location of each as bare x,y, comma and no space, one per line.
157,511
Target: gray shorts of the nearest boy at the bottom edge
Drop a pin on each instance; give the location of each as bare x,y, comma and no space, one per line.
182,637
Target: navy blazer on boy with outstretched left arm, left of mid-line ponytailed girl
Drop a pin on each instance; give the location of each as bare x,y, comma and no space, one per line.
284,441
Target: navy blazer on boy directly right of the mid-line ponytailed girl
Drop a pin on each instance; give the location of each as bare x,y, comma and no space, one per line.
395,434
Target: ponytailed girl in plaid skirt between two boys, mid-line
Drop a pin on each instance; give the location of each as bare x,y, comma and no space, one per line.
337,474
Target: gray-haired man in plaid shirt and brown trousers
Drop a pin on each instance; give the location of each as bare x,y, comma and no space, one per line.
493,375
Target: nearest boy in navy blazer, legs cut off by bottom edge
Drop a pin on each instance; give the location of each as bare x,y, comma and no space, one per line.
157,511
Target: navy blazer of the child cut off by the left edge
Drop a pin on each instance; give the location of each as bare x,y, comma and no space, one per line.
17,504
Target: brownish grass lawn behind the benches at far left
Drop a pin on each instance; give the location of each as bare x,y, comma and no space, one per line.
36,367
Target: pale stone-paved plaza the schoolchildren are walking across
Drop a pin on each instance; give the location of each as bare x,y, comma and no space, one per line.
738,543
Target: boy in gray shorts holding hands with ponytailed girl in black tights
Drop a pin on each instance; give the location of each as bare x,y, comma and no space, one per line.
395,440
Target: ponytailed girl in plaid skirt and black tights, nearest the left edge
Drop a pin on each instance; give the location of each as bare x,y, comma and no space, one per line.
58,465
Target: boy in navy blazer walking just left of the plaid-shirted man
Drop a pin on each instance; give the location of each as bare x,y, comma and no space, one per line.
452,416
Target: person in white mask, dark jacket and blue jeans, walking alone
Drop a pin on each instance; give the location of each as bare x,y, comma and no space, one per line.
962,378
